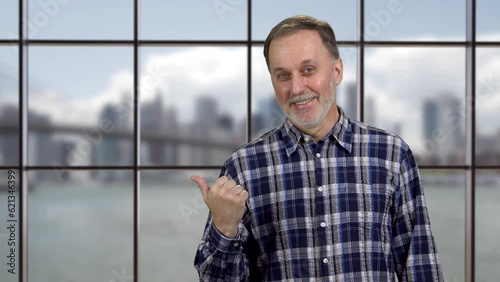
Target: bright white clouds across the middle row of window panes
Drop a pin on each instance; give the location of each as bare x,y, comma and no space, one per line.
398,79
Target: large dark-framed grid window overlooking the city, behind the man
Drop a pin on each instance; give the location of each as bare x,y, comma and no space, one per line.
107,108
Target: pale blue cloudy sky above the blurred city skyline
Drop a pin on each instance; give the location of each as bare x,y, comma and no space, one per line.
78,81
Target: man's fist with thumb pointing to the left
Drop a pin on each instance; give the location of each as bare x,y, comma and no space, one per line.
226,201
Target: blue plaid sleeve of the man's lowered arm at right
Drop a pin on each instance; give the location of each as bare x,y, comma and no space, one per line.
414,247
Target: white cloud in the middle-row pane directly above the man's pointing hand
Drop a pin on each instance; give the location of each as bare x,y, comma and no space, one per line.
182,77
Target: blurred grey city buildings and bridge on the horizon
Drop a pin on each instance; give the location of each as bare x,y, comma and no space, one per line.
213,135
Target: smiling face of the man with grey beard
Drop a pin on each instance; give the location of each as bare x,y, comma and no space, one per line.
304,76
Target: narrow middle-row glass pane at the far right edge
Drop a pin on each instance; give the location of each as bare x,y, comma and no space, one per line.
487,103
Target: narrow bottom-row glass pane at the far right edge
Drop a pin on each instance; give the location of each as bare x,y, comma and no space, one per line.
487,227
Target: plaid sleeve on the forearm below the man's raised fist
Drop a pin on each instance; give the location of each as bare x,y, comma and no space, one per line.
219,258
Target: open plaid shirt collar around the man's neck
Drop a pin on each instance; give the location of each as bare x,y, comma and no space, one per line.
341,133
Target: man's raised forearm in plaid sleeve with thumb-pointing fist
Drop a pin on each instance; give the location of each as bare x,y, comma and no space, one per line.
221,255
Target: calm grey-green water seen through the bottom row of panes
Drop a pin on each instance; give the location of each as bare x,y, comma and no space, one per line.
84,232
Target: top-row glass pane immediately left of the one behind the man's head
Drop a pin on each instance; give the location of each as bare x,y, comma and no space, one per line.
194,20
